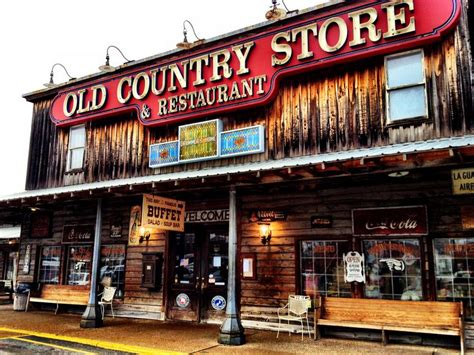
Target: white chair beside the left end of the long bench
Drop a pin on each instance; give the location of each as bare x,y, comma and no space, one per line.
295,310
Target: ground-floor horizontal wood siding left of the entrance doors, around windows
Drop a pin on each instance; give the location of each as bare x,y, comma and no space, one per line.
137,301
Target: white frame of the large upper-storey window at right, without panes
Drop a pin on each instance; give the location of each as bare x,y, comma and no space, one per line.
415,119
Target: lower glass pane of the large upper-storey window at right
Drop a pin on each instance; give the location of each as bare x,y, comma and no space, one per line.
407,103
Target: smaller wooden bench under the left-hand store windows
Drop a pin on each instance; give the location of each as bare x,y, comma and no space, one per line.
61,294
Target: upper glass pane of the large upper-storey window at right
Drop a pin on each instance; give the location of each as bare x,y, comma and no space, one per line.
405,70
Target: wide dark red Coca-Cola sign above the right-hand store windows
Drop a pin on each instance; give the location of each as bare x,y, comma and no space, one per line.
396,221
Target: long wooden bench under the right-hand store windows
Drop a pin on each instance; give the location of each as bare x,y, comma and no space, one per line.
444,318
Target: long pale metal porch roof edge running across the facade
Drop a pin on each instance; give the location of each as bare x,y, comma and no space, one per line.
341,156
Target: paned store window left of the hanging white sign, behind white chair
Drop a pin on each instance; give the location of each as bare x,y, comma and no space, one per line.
322,268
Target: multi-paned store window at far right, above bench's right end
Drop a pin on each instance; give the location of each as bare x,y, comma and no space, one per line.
454,271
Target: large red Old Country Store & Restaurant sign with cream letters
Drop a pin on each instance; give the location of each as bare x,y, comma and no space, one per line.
245,72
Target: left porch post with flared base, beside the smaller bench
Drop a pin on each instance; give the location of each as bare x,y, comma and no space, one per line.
92,317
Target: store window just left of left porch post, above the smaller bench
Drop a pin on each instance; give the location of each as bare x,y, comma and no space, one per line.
79,265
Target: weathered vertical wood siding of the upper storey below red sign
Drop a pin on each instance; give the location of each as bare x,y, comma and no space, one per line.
335,109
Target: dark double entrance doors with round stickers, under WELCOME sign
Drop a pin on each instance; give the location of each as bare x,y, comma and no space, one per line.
197,277
